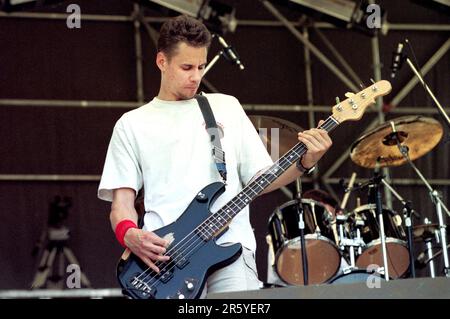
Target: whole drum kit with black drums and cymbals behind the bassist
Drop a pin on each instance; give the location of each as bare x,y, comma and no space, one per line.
350,245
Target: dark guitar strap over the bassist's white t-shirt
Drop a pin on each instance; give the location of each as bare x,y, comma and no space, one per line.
211,127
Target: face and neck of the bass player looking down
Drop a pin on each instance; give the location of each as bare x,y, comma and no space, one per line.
182,72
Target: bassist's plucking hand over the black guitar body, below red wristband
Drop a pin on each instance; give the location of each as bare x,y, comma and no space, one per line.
148,246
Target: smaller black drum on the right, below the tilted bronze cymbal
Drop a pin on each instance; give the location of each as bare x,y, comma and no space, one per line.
396,246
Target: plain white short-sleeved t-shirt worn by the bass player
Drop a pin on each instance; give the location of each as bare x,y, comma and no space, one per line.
164,146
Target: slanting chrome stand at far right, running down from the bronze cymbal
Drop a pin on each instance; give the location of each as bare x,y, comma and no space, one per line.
436,198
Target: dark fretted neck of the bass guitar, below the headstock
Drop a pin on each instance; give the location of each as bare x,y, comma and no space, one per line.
259,184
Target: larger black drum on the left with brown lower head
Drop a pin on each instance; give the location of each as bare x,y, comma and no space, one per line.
323,255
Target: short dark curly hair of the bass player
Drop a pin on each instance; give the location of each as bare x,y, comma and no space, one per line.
182,29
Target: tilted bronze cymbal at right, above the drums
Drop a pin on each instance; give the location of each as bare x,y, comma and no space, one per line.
418,133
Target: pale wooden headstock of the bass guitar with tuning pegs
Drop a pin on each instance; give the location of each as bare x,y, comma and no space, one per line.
353,108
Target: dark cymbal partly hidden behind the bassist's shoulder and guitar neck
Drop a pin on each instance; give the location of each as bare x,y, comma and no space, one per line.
287,134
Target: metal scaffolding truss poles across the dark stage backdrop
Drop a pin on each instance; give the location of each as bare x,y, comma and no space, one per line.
352,83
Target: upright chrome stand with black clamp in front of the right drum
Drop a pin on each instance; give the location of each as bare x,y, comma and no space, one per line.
375,196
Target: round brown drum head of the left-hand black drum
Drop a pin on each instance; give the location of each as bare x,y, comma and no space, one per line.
323,258
